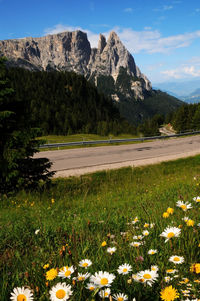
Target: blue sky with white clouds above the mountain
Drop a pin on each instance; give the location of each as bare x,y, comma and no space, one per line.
162,35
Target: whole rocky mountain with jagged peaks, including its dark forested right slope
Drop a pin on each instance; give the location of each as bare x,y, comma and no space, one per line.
109,66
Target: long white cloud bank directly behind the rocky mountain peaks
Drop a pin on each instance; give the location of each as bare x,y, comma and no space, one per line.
149,41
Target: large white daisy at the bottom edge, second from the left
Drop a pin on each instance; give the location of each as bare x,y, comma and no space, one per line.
60,291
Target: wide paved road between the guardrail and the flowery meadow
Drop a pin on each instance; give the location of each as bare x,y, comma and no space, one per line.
72,162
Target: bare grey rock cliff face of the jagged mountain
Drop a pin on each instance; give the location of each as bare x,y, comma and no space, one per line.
71,51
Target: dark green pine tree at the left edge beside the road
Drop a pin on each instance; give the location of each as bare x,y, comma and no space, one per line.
18,168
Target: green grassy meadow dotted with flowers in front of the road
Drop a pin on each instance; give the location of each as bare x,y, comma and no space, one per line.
68,222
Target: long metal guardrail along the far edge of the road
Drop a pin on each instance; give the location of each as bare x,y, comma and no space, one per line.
57,145
